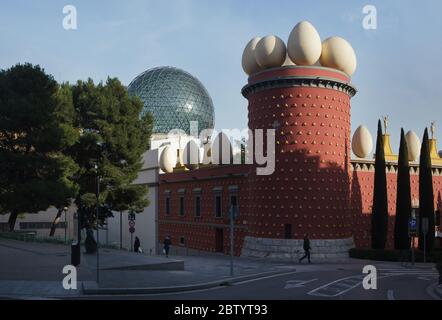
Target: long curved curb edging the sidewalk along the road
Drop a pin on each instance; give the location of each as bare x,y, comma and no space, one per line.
92,289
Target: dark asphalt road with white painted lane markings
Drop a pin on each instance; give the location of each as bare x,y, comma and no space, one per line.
395,283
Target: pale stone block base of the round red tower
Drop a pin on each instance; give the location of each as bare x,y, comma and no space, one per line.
281,249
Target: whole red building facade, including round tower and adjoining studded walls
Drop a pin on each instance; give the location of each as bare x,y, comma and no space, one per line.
316,188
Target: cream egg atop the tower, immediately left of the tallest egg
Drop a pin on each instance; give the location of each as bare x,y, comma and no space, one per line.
270,52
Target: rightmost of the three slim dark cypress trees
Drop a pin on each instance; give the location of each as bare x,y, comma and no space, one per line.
426,194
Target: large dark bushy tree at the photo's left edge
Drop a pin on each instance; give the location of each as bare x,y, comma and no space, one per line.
34,130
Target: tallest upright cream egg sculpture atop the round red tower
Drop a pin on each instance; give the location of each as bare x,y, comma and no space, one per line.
304,46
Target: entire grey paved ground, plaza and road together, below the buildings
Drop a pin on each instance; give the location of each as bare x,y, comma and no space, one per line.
33,270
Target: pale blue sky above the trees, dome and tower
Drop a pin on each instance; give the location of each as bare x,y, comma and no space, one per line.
399,63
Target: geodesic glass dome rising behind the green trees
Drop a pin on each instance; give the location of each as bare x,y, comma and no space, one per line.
174,97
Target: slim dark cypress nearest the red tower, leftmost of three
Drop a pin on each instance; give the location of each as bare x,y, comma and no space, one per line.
379,218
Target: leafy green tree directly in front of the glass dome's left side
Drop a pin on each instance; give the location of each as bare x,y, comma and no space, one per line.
113,140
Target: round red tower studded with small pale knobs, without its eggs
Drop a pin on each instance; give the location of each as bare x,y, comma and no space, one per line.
309,107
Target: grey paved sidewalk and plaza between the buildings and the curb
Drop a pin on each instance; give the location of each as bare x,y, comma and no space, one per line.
35,270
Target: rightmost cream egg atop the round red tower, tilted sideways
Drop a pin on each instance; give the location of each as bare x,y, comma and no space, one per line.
337,53
